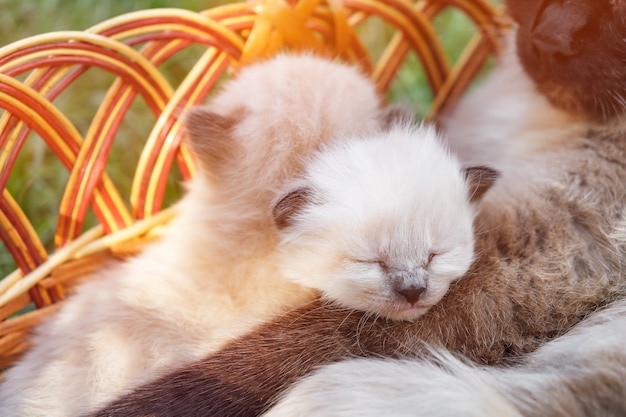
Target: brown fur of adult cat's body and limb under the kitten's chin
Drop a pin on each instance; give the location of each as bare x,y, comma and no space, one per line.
546,259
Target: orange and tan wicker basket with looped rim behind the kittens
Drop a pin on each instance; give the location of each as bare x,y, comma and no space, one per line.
134,48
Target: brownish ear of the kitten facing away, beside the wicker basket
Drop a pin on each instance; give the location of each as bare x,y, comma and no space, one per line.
209,135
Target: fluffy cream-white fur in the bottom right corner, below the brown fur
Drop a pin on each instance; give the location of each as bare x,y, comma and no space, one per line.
582,373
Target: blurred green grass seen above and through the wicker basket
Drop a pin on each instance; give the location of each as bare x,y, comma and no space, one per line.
38,179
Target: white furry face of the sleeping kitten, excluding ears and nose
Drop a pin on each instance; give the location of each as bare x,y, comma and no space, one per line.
379,207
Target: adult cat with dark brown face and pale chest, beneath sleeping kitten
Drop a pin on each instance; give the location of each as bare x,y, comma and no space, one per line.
552,232
